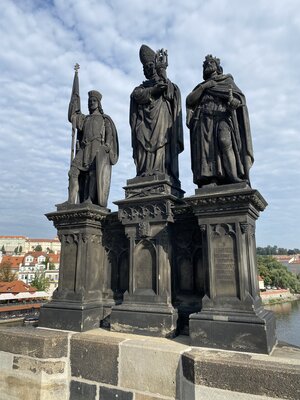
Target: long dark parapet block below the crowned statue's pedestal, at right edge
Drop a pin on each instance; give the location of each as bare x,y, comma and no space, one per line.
243,372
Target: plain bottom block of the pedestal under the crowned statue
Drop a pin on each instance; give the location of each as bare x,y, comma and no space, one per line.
250,332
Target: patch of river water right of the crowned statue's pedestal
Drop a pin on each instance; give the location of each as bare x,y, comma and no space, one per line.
287,321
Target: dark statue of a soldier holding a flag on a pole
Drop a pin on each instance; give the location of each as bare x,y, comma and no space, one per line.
96,150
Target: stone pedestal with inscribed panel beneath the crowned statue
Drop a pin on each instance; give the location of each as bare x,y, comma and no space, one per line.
232,316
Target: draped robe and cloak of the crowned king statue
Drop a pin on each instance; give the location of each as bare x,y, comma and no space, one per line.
204,121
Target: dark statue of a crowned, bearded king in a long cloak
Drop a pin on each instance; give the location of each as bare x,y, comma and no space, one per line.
217,116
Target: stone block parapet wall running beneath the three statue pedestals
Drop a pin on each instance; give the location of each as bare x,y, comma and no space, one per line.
44,364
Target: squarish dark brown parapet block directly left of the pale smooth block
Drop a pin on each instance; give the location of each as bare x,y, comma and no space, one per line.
95,357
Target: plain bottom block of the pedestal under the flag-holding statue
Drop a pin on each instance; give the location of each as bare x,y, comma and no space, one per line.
71,317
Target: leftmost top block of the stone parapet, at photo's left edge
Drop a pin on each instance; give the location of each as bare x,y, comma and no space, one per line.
40,343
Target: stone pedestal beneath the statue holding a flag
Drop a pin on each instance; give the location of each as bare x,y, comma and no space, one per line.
77,303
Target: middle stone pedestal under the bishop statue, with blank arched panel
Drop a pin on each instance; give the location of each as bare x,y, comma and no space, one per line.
147,215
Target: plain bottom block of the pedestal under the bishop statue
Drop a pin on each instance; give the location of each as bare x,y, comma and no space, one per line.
147,319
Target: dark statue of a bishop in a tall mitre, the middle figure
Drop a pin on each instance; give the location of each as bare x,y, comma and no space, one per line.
156,118
